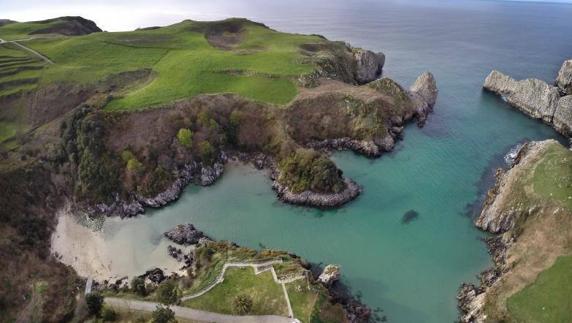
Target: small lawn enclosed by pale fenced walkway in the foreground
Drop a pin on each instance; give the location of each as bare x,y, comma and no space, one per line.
267,295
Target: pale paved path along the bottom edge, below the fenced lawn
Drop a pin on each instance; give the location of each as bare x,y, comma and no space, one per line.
191,314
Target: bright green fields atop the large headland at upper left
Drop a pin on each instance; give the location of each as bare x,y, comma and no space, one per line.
185,59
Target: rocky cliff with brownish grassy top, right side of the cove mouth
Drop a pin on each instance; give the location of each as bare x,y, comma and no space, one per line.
529,211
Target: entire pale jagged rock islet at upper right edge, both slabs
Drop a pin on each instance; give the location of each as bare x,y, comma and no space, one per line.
537,98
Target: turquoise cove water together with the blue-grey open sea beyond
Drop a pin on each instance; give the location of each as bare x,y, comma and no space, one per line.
410,270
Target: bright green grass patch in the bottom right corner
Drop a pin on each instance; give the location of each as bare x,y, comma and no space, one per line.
548,299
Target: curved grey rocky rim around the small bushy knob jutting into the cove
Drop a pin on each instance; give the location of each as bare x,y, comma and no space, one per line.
320,200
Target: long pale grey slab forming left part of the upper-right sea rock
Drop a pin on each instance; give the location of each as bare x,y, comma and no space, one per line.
534,97
